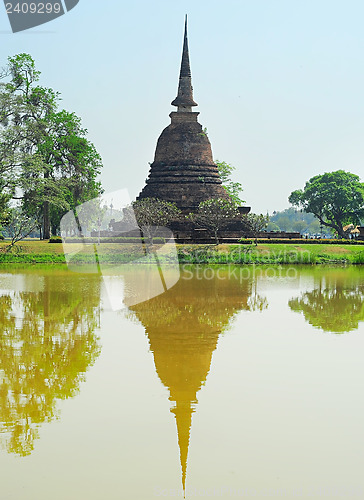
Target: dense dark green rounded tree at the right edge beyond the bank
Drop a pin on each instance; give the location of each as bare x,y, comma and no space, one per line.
335,198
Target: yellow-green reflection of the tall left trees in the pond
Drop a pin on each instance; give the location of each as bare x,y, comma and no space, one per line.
47,343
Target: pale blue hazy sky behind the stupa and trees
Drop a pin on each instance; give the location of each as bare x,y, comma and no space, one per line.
279,84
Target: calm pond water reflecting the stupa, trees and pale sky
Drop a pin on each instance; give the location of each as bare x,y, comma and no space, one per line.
235,383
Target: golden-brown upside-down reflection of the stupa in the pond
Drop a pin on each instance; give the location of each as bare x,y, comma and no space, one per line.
183,326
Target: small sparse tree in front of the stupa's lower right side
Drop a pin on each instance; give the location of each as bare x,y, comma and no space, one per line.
214,214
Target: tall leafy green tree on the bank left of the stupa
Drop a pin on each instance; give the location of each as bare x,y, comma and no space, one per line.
46,160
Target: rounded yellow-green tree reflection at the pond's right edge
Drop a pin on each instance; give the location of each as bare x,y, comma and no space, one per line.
335,305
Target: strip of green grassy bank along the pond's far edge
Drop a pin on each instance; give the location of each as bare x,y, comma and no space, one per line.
32,252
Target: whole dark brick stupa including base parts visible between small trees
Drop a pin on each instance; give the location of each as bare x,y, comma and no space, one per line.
183,171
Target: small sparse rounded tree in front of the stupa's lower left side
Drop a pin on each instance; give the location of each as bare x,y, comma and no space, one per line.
151,214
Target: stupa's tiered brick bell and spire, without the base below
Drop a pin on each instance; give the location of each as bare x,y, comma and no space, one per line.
183,171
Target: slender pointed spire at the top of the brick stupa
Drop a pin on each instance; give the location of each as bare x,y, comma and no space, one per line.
184,100
